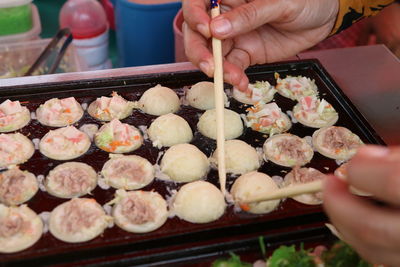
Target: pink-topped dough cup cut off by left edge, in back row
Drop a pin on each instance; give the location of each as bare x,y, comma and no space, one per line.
13,116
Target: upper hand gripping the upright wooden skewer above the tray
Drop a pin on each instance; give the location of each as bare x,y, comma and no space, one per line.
254,32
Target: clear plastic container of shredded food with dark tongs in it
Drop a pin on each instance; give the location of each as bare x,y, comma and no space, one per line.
16,58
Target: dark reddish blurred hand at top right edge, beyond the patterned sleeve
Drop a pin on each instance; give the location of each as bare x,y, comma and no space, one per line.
386,27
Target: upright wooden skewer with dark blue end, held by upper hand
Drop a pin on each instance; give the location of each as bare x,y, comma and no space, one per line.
219,101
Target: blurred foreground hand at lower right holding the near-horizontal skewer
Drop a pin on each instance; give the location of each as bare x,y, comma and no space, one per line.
373,230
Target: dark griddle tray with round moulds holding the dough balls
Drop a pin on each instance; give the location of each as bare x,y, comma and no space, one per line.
115,241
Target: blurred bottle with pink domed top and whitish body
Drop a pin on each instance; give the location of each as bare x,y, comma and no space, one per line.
89,26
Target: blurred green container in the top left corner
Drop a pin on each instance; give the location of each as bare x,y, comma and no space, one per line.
15,16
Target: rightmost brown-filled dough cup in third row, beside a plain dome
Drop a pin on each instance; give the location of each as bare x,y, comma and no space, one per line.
128,172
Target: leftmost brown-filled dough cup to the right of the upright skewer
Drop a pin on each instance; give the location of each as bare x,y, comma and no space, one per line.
288,150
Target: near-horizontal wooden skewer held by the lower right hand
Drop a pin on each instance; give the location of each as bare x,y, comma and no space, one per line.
295,190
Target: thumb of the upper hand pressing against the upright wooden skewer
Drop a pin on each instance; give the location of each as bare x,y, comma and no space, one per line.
247,17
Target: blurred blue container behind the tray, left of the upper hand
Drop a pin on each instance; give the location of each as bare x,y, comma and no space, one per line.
145,33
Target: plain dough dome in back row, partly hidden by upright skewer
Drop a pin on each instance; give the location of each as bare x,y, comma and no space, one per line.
201,96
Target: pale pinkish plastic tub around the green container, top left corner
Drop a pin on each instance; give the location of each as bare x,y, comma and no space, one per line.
32,34
